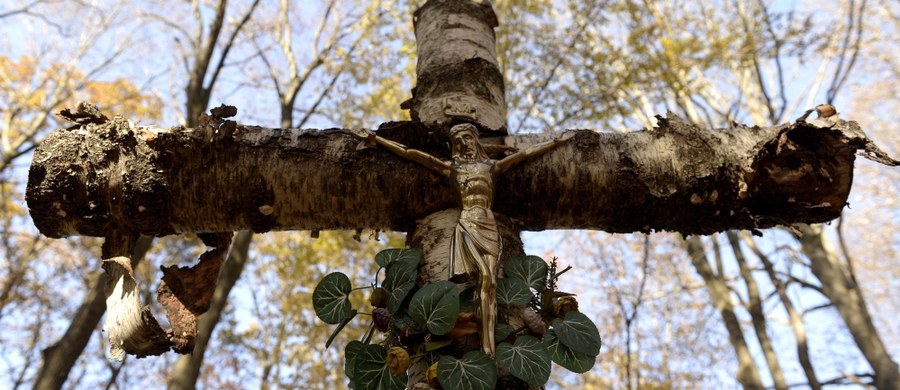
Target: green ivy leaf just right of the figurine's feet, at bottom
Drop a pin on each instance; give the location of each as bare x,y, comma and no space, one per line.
527,359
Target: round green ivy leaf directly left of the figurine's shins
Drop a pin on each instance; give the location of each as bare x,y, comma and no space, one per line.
436,307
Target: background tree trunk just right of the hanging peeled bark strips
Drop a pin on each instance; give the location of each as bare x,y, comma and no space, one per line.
187,369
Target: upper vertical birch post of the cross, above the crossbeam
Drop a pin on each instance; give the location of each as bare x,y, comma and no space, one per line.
458,76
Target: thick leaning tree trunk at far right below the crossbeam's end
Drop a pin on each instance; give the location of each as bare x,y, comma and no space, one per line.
850,304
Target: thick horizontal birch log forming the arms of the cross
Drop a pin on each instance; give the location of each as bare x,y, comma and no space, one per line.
224,177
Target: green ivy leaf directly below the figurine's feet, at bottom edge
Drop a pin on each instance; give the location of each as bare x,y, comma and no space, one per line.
475,371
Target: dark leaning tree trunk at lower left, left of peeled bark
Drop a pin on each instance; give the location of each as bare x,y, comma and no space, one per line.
59,358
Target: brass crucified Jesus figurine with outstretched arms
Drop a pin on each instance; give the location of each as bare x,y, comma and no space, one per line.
475,245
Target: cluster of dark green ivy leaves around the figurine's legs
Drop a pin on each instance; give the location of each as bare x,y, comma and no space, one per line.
436,322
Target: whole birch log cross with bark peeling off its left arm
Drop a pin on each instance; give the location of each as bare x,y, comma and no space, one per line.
109,178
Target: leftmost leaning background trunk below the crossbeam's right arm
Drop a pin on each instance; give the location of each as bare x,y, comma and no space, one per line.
720,295
